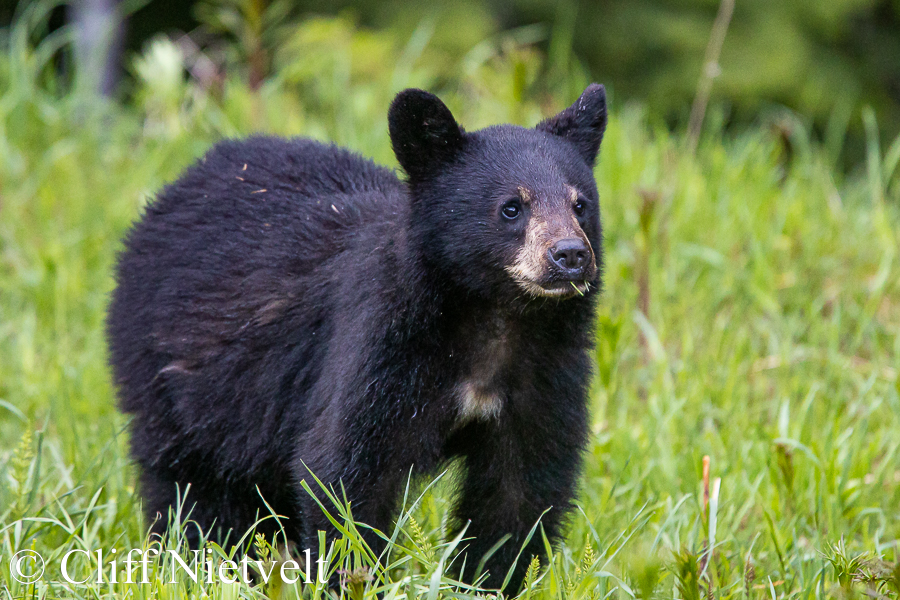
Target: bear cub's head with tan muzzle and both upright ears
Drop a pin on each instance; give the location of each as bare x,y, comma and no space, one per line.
504,211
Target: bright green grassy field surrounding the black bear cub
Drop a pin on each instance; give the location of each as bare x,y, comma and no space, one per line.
751,314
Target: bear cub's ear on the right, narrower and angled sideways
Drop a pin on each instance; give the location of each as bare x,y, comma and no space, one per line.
583,123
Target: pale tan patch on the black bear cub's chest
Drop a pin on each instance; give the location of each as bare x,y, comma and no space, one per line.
479,395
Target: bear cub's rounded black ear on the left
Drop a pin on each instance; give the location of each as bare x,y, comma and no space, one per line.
424,133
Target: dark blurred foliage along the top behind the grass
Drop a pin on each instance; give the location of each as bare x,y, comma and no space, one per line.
824,60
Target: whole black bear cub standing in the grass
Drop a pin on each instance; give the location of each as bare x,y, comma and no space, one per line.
289,307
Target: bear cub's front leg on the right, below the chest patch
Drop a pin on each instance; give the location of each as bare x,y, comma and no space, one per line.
513,478
